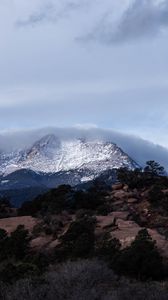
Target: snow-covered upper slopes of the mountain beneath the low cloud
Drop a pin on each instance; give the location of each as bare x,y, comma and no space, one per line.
52,155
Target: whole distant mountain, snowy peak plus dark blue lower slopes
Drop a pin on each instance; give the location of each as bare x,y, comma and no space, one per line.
52,161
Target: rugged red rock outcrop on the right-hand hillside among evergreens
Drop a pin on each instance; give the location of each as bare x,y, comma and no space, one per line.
131,212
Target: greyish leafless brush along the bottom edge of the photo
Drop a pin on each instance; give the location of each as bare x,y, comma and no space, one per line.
85,279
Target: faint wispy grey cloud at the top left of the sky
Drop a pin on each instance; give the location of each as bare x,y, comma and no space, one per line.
51,12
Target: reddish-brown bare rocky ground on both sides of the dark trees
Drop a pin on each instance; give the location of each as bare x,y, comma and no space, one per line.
130,211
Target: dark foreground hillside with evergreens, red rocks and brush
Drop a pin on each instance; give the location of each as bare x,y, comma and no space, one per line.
102,242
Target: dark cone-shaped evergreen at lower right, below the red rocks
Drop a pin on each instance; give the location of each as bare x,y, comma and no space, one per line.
141,260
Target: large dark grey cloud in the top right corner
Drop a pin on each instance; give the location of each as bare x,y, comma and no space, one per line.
142,18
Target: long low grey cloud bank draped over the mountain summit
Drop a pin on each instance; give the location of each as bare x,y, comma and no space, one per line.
139,149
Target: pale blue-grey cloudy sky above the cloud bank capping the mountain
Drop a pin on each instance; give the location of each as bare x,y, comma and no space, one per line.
85,63
